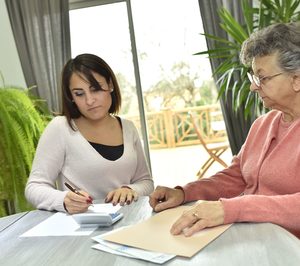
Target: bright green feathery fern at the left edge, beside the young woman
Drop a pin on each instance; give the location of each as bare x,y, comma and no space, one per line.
21,125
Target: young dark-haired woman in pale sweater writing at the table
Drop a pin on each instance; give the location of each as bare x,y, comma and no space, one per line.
90,148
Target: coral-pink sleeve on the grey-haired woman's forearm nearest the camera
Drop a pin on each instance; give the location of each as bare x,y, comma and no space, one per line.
279,209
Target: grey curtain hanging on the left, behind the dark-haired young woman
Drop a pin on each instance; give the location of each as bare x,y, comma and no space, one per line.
42,35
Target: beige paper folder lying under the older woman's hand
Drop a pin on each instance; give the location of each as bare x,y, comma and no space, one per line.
154,234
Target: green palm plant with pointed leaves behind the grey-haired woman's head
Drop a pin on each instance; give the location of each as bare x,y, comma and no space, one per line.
231,74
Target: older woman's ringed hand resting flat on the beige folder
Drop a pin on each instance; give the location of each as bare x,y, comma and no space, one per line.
203,214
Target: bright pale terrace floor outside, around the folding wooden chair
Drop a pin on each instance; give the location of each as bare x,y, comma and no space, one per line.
178,166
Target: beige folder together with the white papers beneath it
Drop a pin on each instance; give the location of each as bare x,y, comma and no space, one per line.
151,239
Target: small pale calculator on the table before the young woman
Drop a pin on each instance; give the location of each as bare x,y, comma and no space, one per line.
92,219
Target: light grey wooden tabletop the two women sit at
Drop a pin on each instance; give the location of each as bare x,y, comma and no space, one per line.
242,244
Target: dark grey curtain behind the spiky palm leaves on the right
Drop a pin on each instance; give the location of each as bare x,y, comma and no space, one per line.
236,125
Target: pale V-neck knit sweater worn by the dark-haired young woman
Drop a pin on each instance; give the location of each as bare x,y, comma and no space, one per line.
64,155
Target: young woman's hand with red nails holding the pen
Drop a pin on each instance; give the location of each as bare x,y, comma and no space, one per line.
75,203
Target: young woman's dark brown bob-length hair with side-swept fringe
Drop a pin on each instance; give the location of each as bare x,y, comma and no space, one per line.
85,65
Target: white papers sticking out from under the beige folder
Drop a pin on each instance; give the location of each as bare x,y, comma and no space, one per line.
127,251
